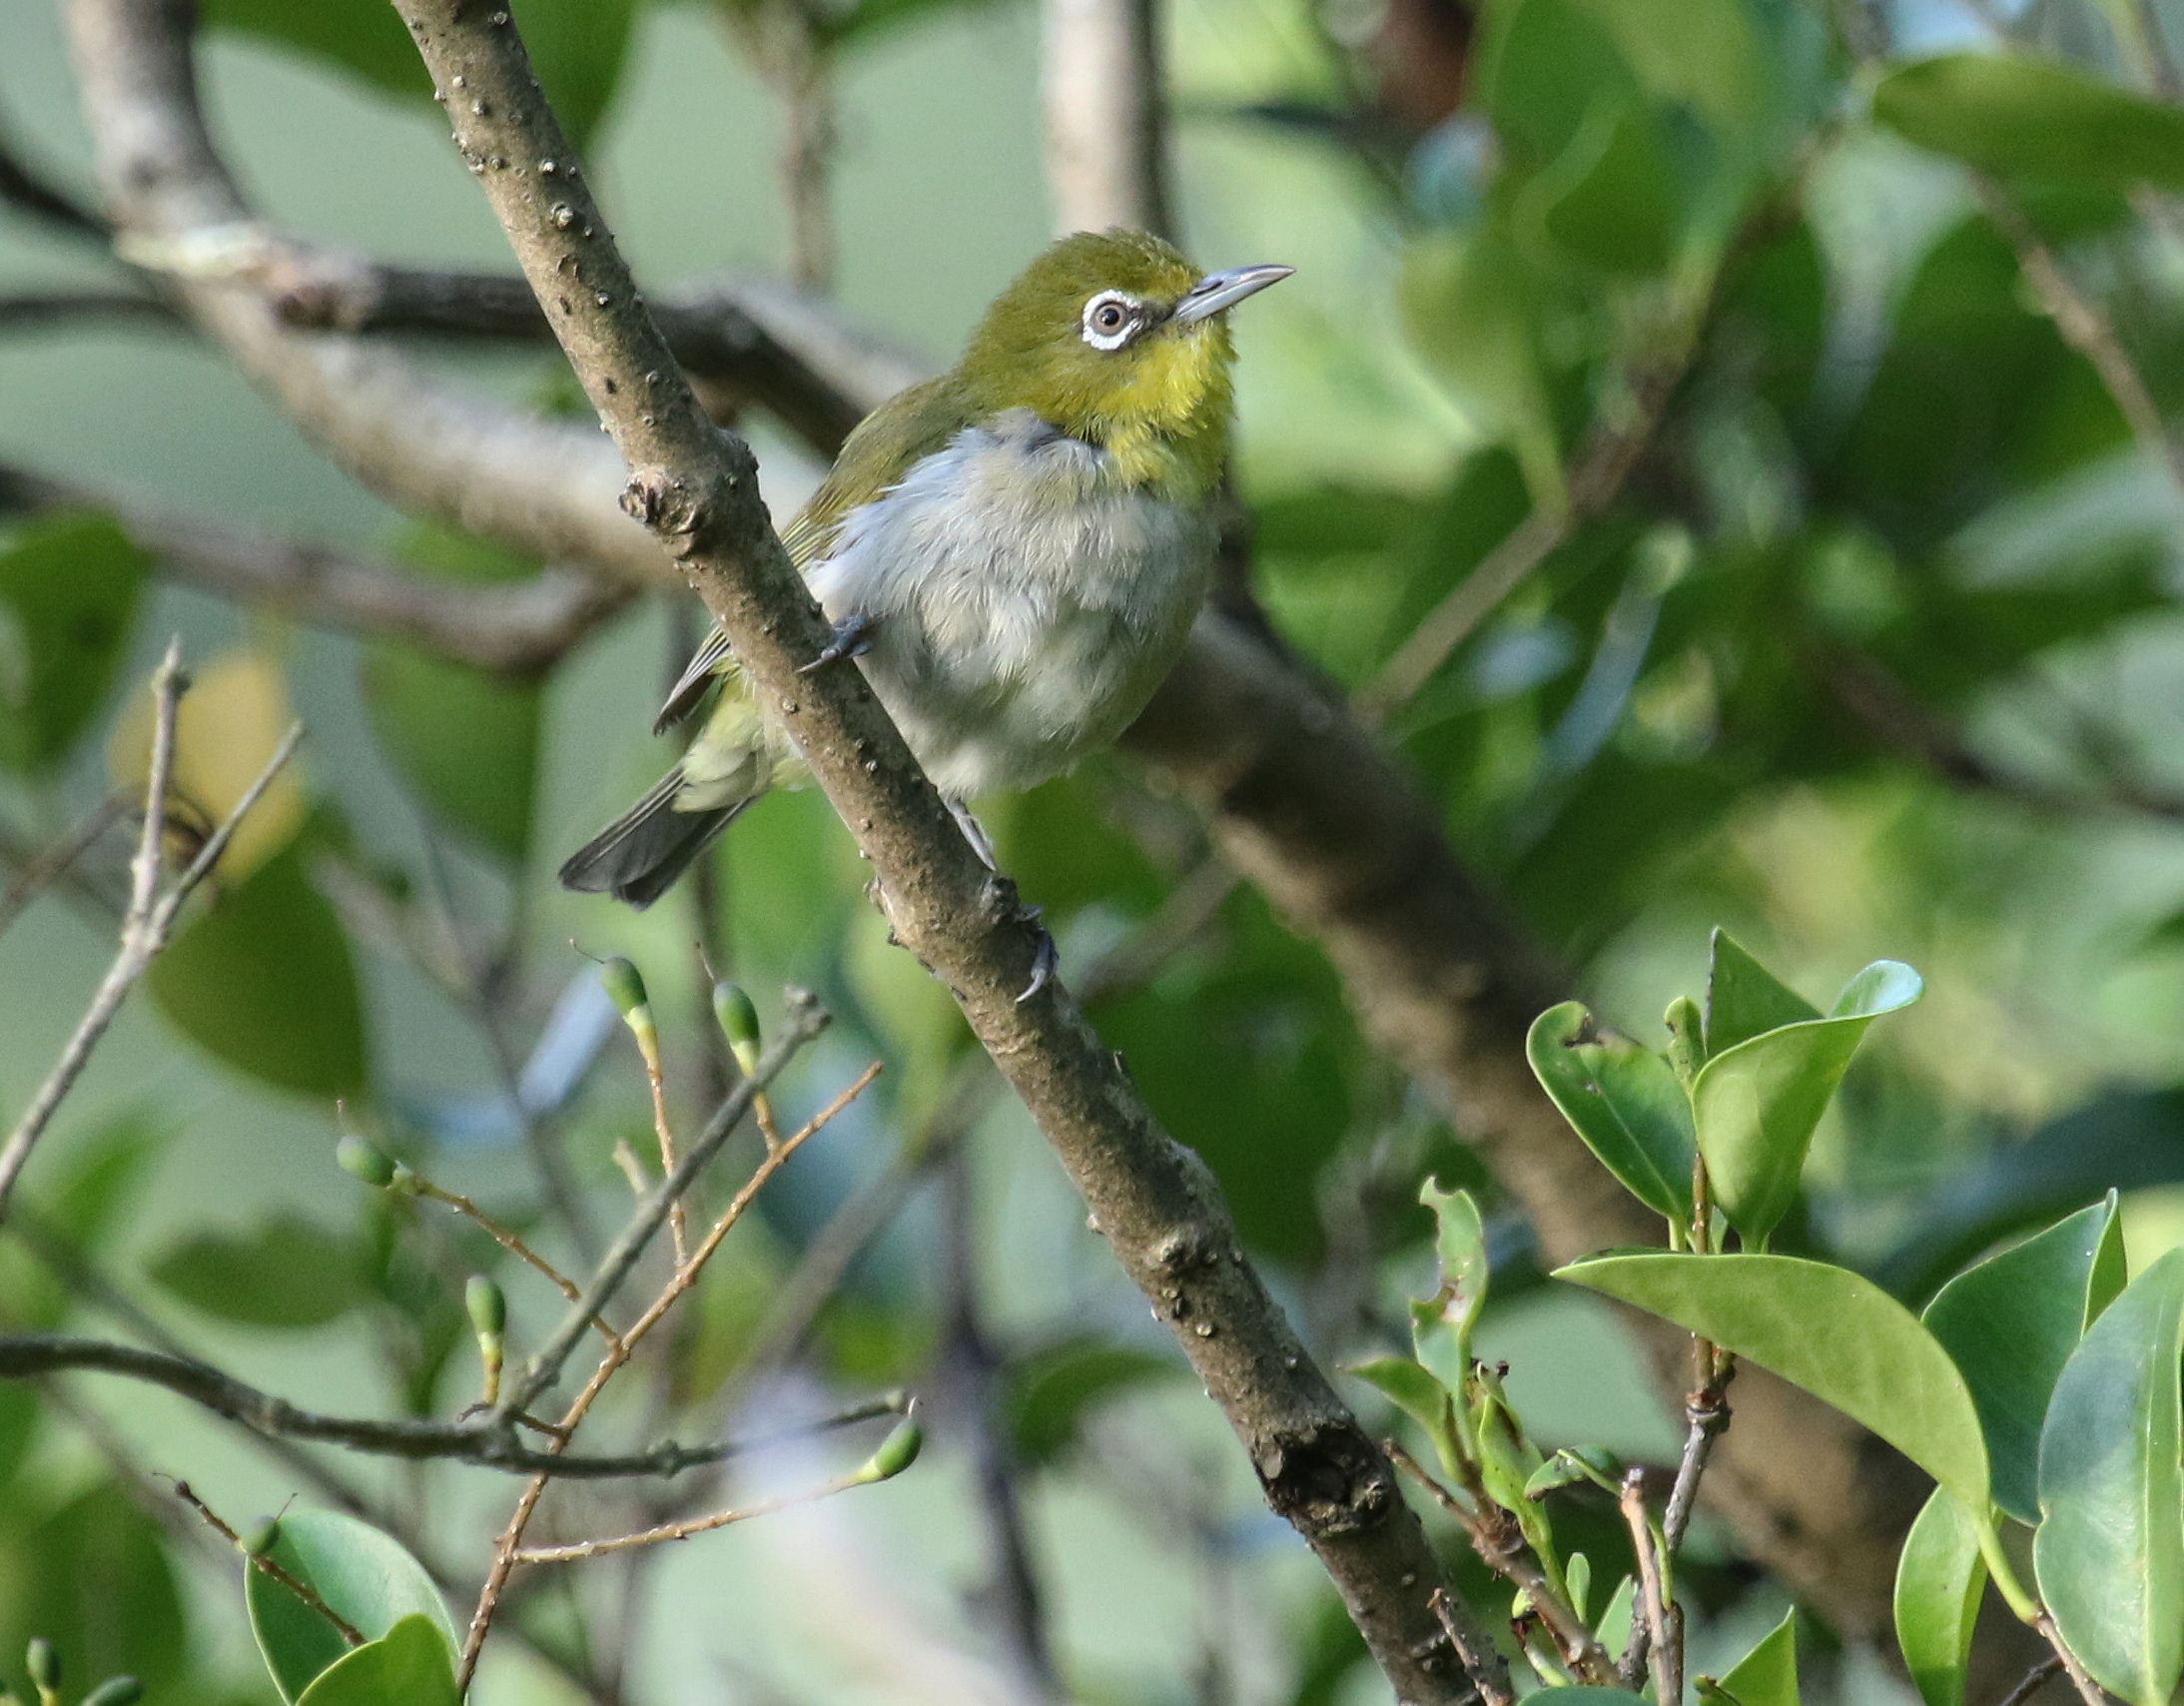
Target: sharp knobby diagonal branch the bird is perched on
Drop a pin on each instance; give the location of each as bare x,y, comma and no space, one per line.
696,488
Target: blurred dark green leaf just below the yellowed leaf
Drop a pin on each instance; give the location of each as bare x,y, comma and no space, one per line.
265,982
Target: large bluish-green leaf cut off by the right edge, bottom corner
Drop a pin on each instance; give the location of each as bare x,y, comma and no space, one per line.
2111,1543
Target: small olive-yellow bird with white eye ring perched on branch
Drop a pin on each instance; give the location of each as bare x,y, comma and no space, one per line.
1014,552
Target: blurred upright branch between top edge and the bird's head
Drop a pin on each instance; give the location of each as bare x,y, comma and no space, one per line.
1106,117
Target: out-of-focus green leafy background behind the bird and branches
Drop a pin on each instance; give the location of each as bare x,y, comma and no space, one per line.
1875,654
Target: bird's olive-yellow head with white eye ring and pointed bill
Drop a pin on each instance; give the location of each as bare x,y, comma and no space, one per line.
1119,342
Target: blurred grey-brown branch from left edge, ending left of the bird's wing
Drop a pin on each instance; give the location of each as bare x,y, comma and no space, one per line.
514,630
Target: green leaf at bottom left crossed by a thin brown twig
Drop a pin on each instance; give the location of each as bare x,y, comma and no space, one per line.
361,1574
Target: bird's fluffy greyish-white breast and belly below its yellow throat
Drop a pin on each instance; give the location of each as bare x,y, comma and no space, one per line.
1025,600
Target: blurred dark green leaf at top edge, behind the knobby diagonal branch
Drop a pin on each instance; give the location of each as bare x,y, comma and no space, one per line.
578,47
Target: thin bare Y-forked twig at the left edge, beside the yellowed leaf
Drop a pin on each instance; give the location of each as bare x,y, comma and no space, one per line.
150,919
